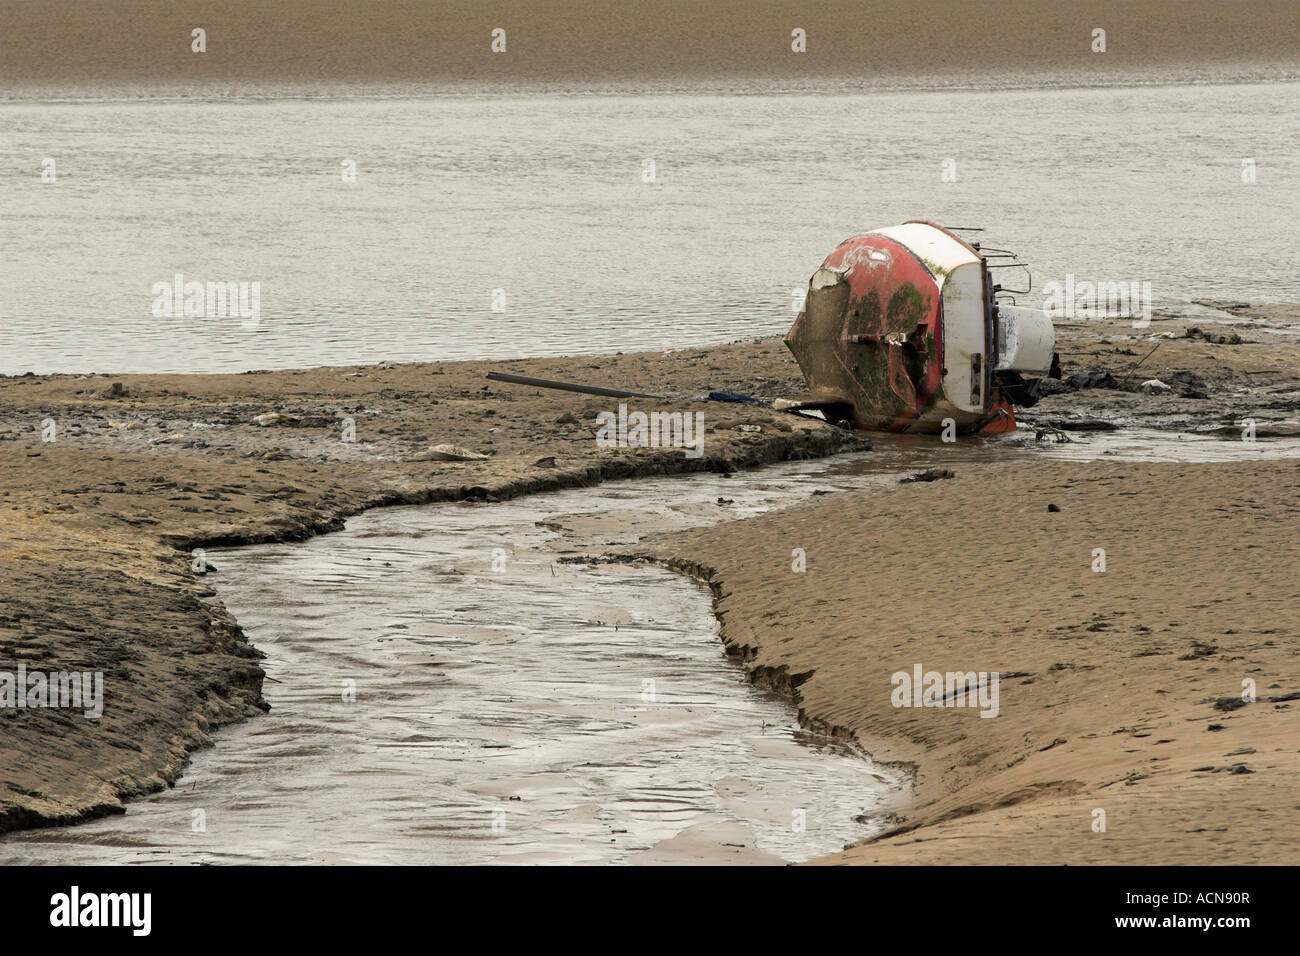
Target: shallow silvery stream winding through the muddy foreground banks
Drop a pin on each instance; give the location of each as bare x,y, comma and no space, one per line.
445,691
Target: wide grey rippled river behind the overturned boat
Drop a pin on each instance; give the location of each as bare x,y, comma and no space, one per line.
544,197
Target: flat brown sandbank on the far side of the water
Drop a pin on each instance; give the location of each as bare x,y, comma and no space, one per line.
47,44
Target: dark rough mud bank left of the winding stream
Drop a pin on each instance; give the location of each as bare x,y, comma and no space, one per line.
99,525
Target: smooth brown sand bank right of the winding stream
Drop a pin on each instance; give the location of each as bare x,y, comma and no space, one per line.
1120,691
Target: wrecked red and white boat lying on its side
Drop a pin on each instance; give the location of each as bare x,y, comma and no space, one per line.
904,330
